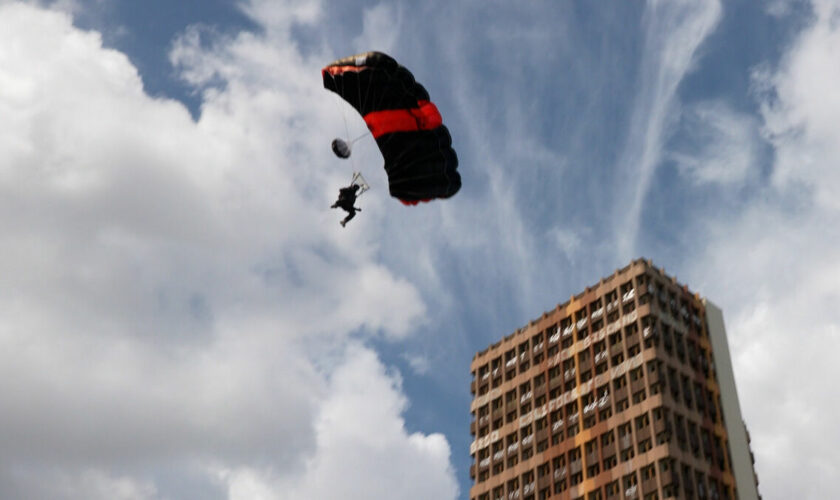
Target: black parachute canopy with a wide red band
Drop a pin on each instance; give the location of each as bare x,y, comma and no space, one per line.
419,159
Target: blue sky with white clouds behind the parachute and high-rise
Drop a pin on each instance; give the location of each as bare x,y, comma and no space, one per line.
182,316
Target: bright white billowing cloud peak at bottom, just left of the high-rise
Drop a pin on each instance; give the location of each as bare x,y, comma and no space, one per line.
363,450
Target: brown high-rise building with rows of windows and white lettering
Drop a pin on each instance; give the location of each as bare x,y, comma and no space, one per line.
626,391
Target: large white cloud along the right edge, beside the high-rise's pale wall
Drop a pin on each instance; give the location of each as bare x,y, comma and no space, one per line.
774,269
